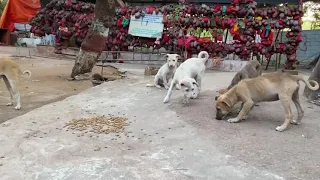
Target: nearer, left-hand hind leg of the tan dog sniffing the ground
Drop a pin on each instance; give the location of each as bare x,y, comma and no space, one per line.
285,99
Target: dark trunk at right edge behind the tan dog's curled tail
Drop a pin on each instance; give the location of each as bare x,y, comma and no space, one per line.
315,75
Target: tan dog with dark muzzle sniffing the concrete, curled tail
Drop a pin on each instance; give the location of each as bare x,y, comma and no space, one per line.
268,87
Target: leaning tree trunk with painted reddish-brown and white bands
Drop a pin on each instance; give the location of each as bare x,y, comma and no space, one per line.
94,43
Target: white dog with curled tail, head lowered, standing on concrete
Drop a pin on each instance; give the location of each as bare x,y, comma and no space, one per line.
189,75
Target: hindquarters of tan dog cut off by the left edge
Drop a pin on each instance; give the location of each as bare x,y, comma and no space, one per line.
10,71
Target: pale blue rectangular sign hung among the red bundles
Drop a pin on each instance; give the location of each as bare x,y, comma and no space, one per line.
149,26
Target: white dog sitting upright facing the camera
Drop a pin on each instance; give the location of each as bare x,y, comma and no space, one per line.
166,72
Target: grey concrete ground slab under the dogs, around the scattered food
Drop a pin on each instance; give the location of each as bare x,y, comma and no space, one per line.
168,141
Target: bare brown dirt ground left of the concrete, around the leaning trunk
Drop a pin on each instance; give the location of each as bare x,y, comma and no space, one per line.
47,84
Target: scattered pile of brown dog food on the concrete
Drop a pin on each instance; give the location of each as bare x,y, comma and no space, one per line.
99,124
